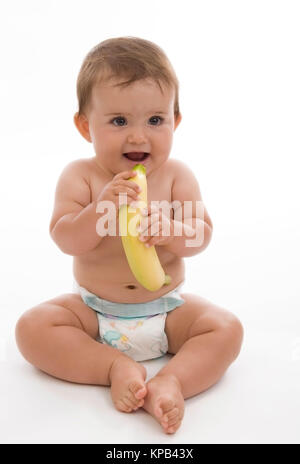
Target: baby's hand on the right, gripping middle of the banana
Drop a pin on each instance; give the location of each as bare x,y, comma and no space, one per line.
158,221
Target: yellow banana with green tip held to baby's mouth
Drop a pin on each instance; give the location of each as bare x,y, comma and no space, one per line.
143,262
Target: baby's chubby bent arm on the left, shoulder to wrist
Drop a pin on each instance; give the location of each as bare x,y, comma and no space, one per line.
73,222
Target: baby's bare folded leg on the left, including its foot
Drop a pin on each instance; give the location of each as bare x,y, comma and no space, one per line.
59,337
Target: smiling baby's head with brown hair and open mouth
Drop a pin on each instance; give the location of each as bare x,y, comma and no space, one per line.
127,103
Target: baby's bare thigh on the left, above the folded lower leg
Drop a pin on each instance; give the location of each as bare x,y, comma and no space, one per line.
63,310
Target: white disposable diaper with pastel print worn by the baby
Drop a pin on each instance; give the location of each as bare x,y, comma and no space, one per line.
137,329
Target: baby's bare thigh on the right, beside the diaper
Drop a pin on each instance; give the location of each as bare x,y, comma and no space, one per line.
194,317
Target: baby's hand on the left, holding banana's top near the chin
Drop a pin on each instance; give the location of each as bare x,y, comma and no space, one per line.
120,185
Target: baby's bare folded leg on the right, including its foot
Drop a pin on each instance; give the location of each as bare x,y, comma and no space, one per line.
205,339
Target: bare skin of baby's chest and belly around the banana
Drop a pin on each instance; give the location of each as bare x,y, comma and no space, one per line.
105,269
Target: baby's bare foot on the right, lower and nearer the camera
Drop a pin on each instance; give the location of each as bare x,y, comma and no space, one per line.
164,401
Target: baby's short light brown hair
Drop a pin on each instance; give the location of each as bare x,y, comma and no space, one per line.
130,58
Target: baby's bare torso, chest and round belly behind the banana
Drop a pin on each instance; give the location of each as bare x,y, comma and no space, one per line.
105,270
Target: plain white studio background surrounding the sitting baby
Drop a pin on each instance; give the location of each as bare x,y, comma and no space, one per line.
238,67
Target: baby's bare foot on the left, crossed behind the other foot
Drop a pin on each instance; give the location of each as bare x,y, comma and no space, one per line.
128,388
